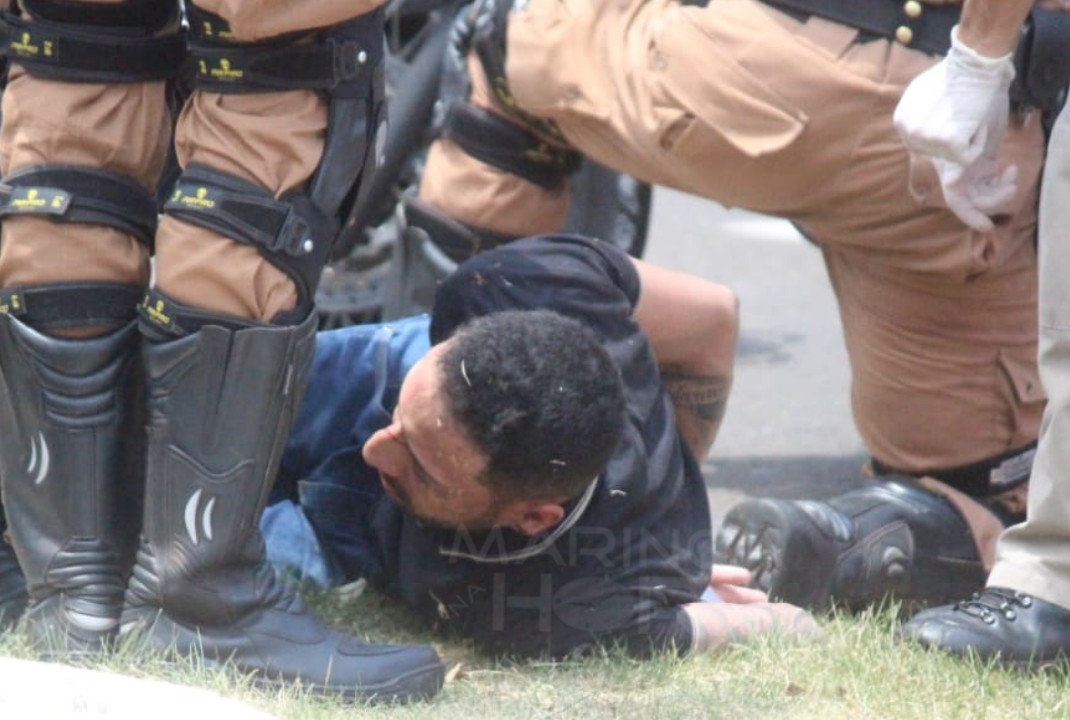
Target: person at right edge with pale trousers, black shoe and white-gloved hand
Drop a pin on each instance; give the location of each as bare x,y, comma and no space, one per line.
955,114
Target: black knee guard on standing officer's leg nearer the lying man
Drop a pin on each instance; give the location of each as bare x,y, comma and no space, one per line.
295,233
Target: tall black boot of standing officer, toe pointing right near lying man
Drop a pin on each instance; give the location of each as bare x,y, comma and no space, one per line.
221,406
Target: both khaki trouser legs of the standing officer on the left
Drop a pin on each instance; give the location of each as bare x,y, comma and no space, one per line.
274,140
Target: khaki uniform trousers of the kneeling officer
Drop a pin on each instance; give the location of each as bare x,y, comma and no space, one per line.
745,105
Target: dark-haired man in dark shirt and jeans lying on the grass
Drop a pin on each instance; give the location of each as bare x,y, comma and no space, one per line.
523,468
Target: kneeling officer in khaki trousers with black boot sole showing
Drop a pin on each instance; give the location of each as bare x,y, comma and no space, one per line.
785,108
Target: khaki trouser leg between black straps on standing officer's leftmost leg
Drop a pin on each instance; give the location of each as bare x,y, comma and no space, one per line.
120,128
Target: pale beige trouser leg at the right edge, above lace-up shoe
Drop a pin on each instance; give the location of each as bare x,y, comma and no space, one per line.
1035,557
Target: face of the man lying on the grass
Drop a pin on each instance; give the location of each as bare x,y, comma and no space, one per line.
426,463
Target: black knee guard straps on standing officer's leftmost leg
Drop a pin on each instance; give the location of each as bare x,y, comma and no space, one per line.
132,42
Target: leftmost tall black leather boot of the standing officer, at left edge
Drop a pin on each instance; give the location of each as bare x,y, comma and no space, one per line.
71,469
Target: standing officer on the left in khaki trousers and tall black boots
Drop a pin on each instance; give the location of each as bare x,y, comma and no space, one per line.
273,143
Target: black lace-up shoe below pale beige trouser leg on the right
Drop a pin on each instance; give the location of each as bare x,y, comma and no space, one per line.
1000,623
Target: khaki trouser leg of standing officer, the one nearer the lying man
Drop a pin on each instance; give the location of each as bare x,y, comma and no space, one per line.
274,140
